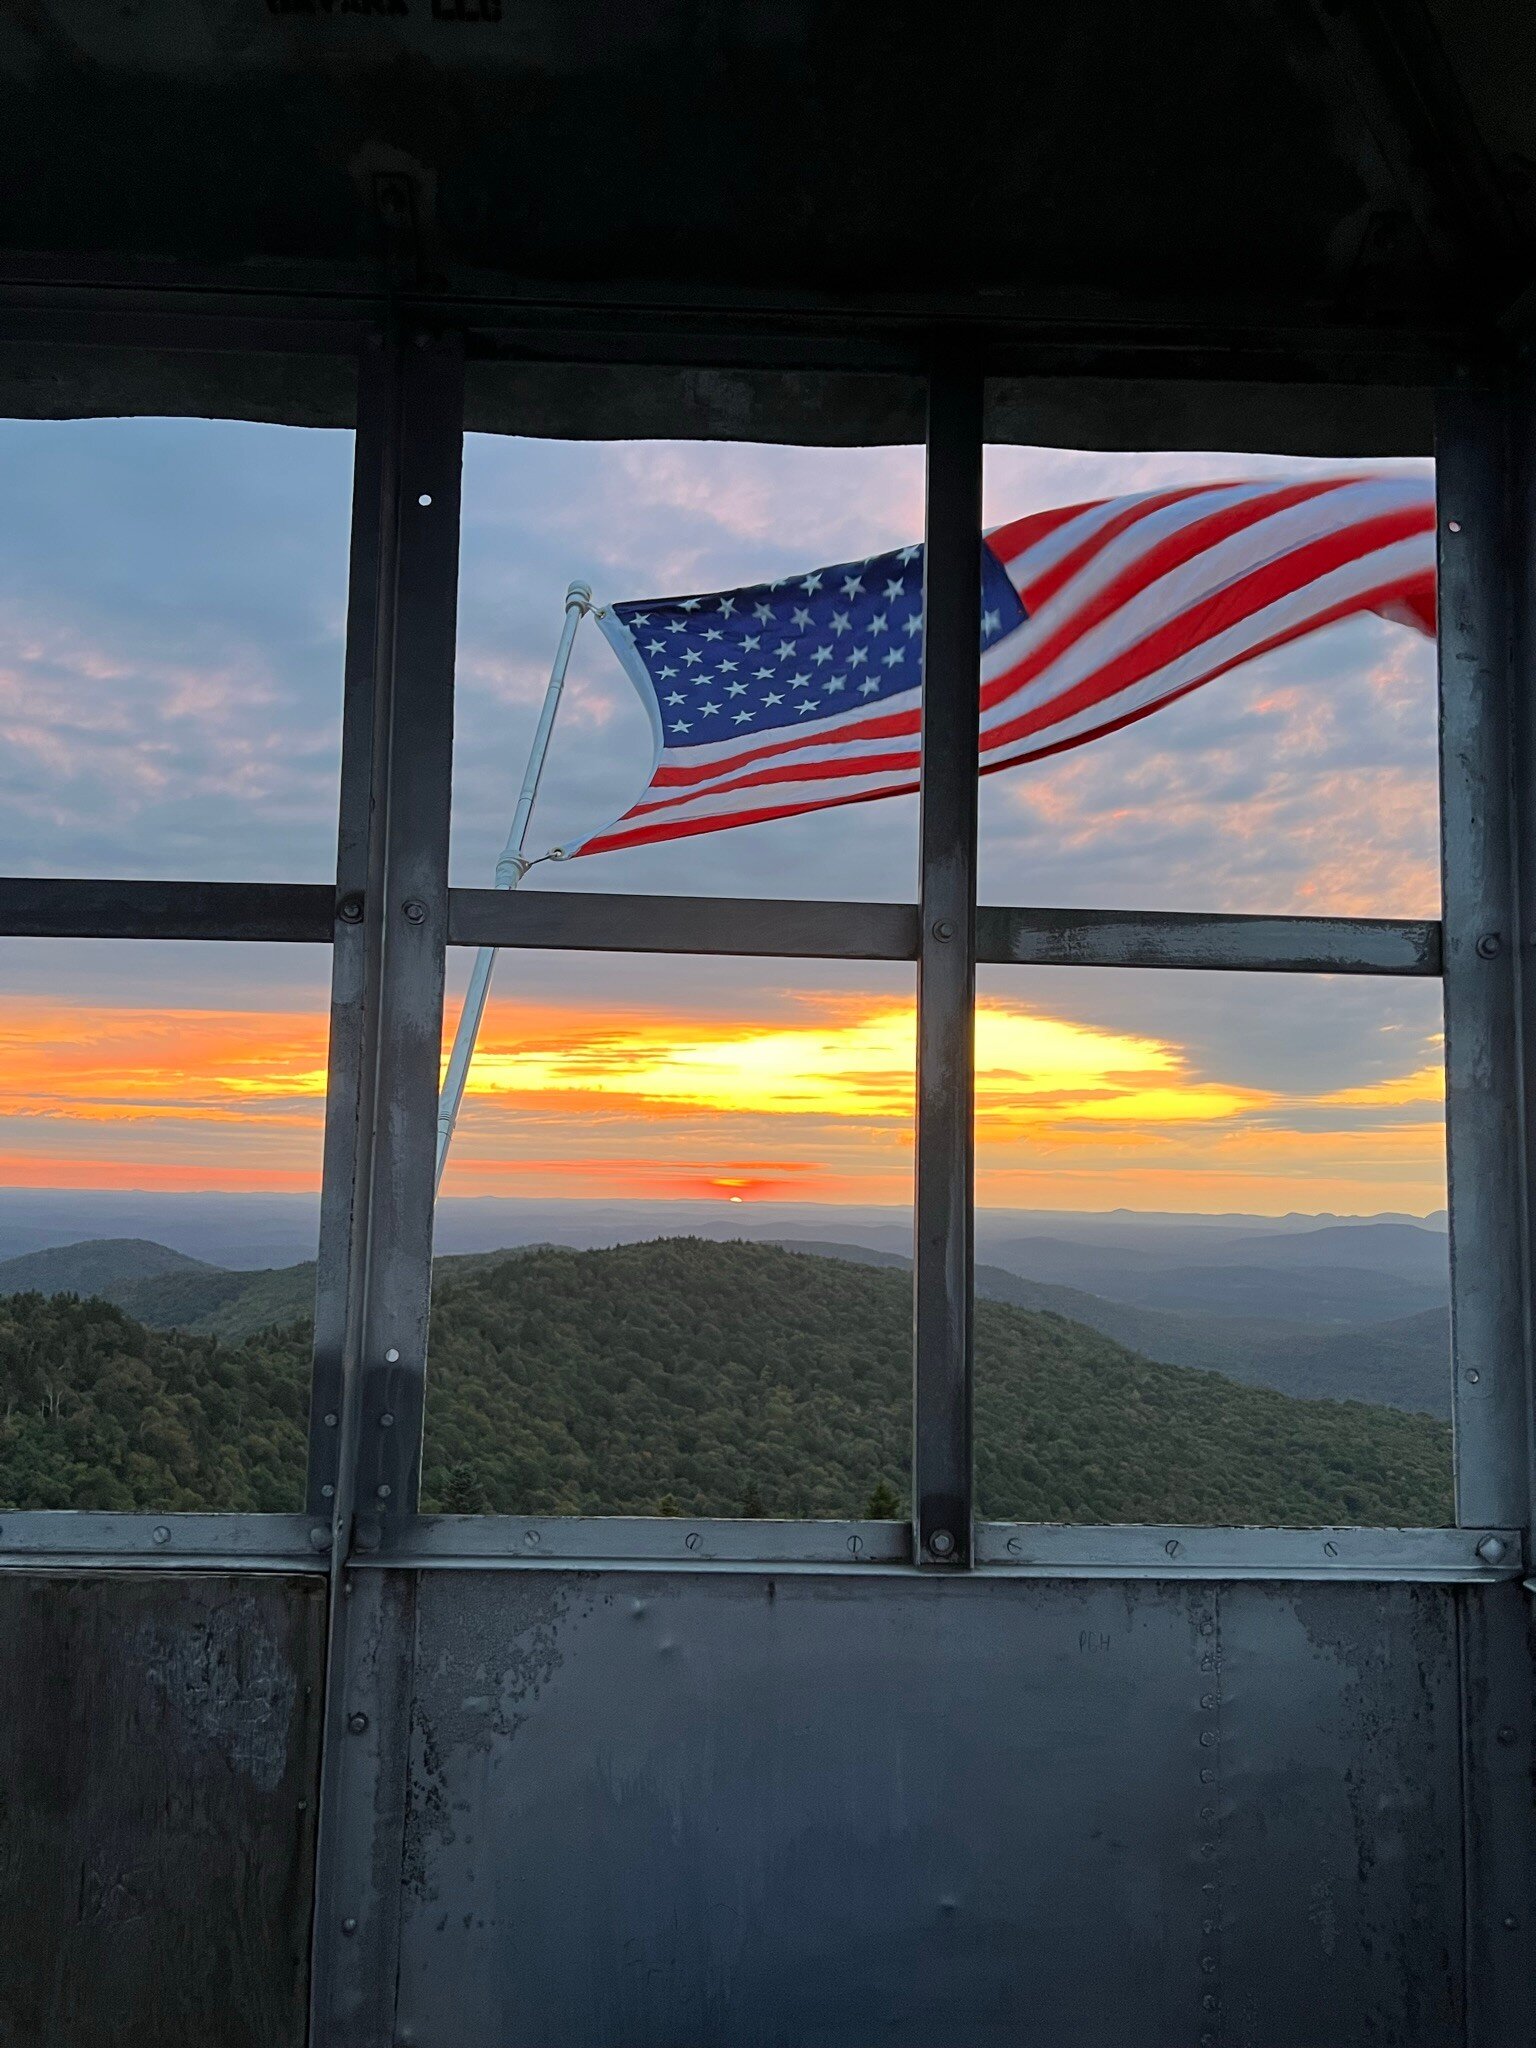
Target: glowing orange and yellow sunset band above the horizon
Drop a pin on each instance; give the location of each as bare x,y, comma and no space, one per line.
806,1103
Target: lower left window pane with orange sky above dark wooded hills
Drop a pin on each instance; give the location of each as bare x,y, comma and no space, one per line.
161,1144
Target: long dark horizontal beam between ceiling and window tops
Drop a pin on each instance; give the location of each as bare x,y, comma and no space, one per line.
529,323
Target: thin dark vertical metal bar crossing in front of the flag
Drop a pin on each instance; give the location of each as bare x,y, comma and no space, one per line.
947,953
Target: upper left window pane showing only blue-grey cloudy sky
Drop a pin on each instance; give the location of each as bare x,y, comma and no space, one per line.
173,603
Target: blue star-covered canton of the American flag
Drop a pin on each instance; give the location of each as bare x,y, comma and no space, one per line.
796,652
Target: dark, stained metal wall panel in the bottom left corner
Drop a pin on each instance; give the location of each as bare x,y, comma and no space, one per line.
159,1756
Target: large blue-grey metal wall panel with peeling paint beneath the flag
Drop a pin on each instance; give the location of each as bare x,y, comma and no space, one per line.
673,1811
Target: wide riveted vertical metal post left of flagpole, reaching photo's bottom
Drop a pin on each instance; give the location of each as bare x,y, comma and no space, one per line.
376,1269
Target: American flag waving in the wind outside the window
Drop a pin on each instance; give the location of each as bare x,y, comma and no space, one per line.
806,693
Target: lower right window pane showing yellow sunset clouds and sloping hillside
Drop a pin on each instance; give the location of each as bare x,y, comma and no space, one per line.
1211,1250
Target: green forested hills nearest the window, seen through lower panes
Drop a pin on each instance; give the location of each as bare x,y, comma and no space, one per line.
706,1379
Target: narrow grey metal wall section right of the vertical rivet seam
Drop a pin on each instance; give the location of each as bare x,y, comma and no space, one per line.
1338,1838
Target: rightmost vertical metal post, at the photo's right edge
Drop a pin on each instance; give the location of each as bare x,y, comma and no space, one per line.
1480,595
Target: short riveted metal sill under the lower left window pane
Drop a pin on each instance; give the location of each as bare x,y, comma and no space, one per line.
173,1543
